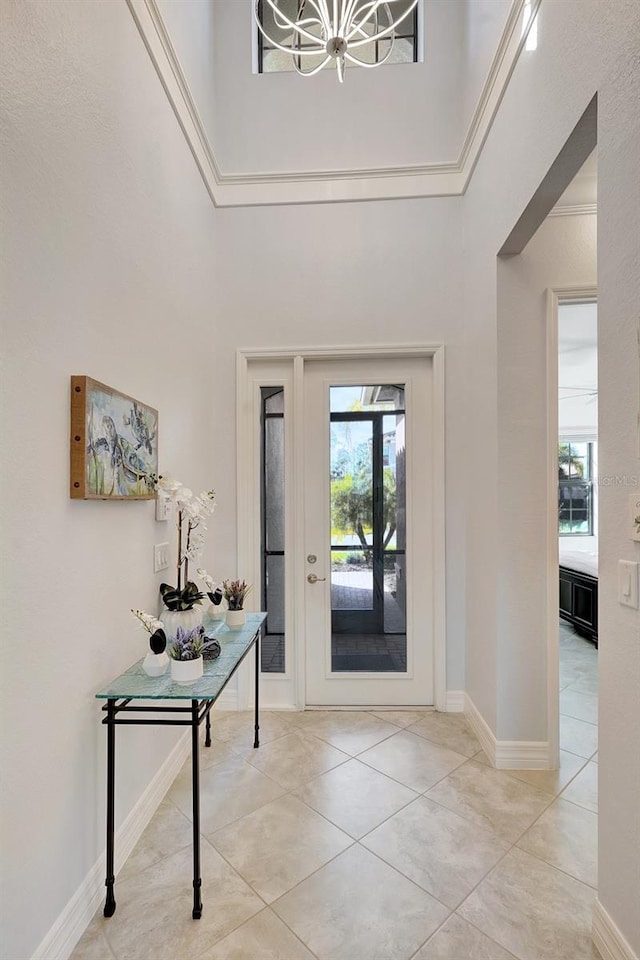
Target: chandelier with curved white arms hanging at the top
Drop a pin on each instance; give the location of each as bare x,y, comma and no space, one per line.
335,30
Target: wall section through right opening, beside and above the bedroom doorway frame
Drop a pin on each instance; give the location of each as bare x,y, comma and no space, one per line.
562,253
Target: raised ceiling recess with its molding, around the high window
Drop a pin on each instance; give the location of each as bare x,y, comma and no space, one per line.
401,130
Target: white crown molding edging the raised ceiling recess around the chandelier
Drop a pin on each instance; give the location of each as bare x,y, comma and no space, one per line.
228,189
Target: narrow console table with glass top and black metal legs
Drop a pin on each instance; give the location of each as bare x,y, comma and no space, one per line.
201,695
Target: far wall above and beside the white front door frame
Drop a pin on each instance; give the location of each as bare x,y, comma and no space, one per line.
352,274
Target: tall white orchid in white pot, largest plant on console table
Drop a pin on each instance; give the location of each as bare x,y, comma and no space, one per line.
191,513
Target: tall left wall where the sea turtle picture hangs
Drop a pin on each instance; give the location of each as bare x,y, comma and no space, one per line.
107,244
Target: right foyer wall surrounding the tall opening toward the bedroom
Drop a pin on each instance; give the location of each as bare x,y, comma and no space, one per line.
582,48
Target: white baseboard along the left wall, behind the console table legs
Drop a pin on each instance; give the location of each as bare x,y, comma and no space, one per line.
59,942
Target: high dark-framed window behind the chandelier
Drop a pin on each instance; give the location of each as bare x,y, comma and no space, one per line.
272,60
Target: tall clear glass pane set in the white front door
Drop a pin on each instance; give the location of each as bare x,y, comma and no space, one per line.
368,535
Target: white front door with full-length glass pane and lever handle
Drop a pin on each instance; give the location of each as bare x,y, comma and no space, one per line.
367,532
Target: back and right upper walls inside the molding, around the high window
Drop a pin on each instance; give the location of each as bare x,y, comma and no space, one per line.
394,116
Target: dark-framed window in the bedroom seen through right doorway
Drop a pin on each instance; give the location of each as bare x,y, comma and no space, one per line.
575,488
